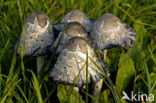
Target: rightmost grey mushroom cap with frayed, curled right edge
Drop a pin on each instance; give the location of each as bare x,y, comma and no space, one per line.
109,31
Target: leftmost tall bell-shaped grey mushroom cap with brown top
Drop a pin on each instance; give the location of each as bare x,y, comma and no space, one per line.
39,35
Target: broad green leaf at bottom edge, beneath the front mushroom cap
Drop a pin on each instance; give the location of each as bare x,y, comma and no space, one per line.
67,94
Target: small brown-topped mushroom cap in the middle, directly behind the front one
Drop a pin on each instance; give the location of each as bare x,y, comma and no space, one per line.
73,29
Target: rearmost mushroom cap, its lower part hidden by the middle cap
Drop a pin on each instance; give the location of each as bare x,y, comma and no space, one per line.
76,16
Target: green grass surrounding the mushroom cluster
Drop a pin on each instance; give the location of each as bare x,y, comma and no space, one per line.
18,82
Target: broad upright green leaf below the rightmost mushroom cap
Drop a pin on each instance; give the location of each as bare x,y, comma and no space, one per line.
125,73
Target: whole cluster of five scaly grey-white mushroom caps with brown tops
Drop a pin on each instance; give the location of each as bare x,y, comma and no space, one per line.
78,37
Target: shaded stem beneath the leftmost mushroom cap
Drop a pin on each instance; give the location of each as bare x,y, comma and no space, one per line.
40,64
